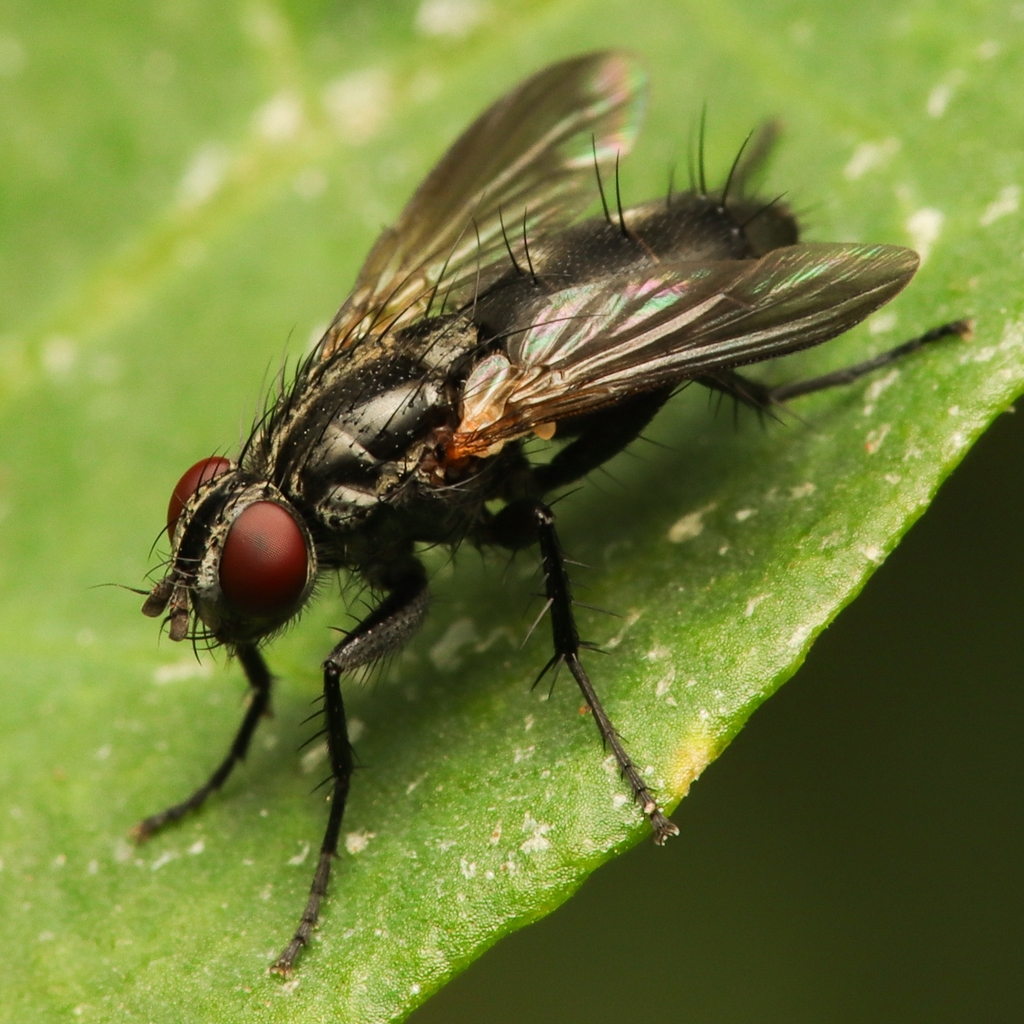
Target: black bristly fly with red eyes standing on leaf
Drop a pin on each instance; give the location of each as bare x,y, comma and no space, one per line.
489,315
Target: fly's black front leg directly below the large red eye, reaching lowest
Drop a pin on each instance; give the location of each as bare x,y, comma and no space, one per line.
381,633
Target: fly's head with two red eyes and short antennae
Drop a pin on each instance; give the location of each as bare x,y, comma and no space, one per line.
243,562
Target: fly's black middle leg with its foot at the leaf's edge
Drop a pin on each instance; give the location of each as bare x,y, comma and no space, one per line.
513,528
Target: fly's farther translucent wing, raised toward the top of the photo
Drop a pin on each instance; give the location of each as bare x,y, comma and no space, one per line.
527,162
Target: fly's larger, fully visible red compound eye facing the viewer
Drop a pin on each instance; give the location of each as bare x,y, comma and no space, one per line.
265,564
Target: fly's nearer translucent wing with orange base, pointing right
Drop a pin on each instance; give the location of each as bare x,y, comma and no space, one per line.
586,347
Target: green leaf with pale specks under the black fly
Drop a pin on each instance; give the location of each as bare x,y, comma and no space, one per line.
188,190
